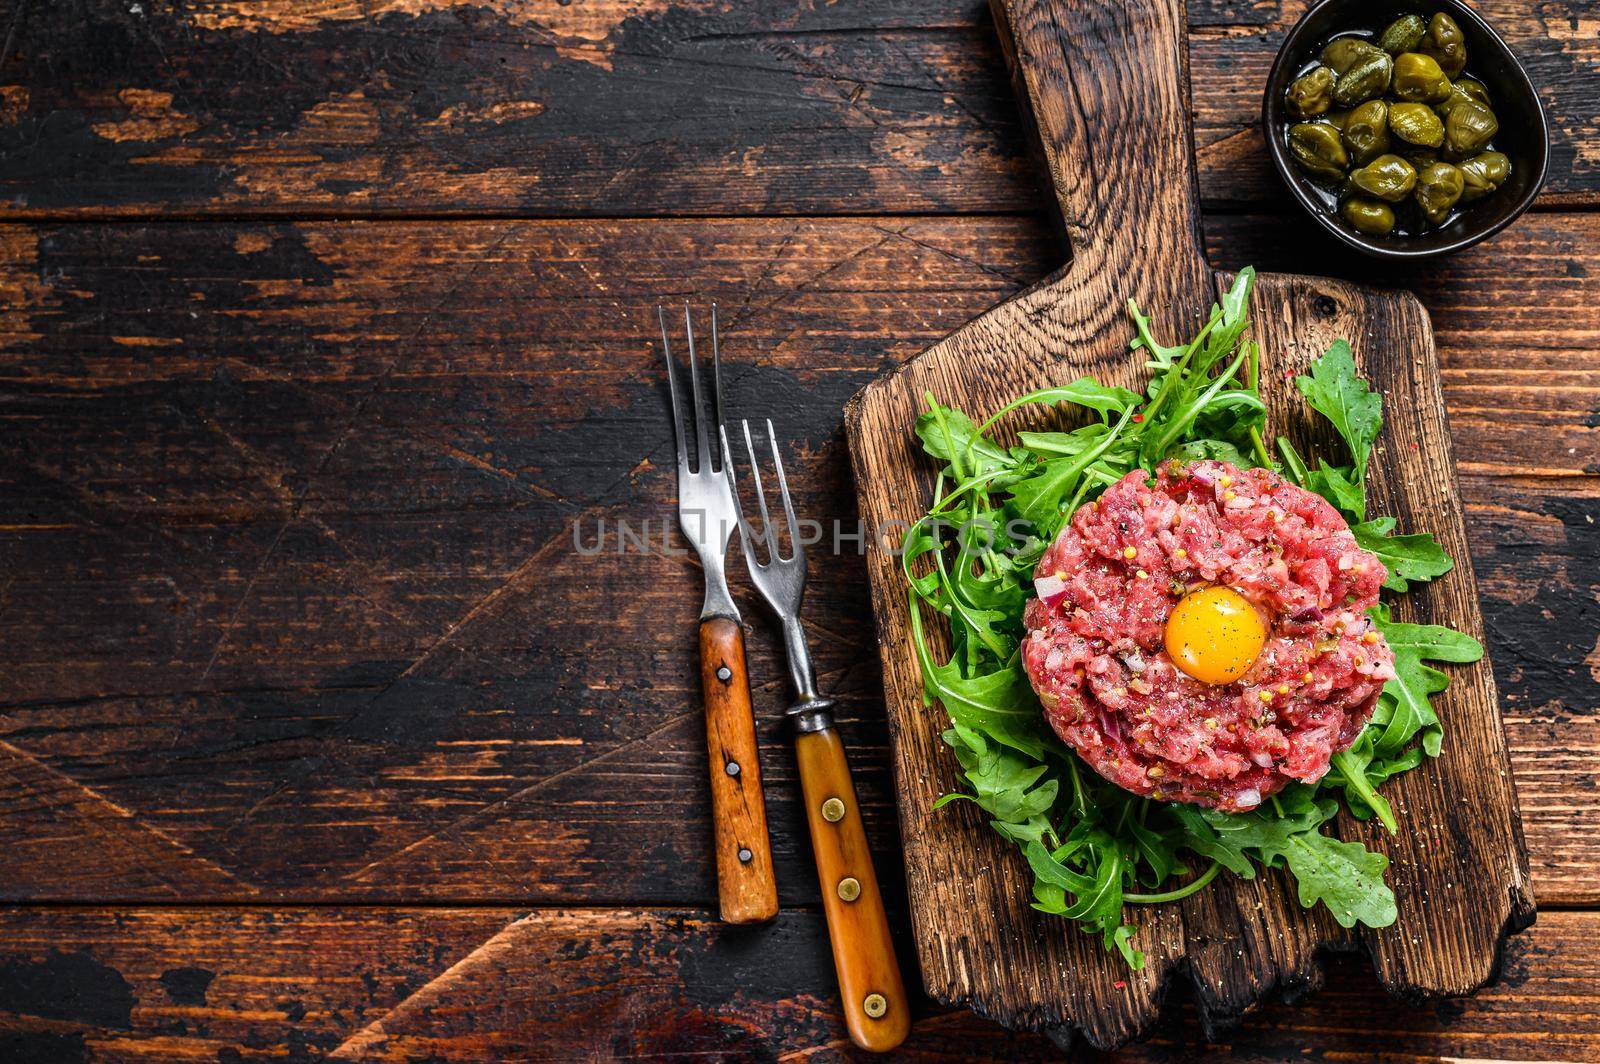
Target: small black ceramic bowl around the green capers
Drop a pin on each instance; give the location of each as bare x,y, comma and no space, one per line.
1524,134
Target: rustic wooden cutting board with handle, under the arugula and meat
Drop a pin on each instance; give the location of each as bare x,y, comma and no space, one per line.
1108,89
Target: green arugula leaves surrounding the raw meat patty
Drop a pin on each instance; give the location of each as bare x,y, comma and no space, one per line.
1094,849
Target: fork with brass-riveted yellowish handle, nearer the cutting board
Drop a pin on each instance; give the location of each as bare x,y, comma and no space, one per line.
878,1012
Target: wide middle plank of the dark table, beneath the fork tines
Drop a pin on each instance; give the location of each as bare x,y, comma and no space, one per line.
287,524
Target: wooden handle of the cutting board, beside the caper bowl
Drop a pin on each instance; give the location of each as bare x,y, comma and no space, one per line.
1108,87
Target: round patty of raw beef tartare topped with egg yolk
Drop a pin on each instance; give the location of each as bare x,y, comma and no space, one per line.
1098,634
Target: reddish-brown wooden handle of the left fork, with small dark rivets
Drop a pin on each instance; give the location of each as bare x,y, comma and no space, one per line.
745,858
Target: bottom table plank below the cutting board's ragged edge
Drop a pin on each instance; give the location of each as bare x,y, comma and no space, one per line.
487,985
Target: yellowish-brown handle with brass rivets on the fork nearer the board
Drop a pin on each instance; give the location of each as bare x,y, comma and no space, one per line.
878,1012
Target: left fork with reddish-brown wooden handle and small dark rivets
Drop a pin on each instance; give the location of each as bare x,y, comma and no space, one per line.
746,889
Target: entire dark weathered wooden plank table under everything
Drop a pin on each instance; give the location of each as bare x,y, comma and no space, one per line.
330,329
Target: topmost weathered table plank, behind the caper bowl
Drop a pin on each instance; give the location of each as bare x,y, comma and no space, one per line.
617,108
